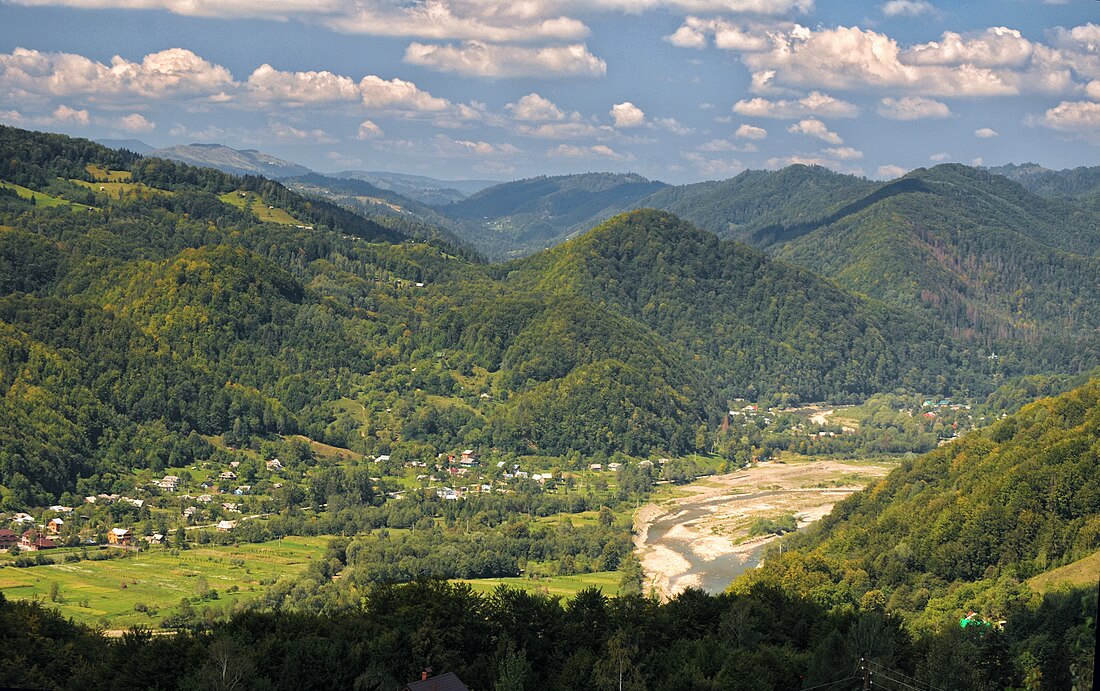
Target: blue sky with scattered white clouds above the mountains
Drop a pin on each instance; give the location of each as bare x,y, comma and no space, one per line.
677,91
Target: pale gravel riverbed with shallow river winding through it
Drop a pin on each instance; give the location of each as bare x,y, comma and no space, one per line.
700,539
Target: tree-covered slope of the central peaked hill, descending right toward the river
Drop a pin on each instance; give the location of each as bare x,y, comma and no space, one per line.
754,325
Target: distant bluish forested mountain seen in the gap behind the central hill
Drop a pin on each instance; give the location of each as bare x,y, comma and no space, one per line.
529,216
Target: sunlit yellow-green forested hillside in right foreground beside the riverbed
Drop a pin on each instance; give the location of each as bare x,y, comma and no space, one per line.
964,527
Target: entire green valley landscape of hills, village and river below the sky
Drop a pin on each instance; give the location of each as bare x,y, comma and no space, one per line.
238,411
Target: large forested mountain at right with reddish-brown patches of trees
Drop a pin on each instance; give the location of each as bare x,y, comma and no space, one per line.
1011,272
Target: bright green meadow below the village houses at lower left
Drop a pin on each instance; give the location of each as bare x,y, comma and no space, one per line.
159,580
